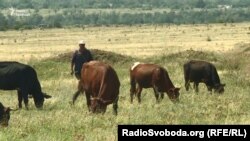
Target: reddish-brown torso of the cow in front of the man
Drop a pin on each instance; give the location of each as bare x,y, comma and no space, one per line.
101,80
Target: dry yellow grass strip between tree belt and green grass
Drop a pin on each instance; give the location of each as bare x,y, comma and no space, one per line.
140,41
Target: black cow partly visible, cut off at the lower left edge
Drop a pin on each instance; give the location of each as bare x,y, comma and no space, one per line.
4,115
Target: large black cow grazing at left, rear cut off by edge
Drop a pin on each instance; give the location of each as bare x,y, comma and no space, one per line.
23,78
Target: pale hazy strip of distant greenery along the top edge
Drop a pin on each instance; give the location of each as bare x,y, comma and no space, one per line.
173,4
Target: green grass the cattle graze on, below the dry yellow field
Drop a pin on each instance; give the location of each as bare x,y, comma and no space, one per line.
60,121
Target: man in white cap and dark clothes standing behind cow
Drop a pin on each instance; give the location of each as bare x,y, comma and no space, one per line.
79,58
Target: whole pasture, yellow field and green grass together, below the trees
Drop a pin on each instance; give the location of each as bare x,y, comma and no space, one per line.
49,50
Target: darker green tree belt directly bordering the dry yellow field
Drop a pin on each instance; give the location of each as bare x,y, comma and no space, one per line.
79,19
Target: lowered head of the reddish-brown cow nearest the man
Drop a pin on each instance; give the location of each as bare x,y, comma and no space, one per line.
98,105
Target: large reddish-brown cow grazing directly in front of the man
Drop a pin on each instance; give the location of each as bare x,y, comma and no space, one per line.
101,85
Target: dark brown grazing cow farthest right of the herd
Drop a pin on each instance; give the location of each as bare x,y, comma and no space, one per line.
198,71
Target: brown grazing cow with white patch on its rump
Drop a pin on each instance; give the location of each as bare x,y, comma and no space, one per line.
151,76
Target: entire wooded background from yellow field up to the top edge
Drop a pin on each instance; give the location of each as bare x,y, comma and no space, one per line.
78,17
